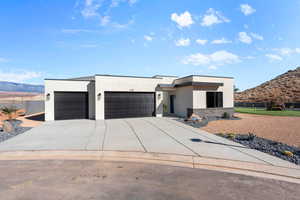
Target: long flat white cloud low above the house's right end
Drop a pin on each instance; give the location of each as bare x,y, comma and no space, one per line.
213,60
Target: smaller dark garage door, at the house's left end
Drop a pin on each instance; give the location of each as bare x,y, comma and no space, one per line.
70,105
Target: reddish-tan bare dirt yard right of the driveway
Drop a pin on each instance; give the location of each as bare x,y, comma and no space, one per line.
282,129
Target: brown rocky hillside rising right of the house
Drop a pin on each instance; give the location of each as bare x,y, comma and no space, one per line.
284,88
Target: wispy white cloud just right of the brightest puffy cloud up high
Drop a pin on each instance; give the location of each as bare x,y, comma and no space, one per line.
213,17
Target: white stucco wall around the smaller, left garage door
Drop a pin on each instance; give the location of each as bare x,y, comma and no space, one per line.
61,85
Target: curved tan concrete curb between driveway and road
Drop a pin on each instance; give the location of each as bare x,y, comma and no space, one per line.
237,167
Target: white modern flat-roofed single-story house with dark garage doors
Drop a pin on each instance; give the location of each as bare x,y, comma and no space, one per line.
108,96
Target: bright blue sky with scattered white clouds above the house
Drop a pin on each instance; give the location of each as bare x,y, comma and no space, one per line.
252,41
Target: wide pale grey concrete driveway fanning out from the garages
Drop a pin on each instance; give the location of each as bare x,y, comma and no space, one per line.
151,135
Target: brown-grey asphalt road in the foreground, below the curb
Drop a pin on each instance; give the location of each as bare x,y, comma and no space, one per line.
66,180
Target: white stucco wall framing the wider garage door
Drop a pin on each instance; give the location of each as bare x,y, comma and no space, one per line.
125,84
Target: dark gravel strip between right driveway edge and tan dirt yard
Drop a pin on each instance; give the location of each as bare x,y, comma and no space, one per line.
271,147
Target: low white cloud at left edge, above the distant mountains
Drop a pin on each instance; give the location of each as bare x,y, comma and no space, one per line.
18,76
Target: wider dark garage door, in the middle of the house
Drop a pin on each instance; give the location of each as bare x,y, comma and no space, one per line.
129,104
